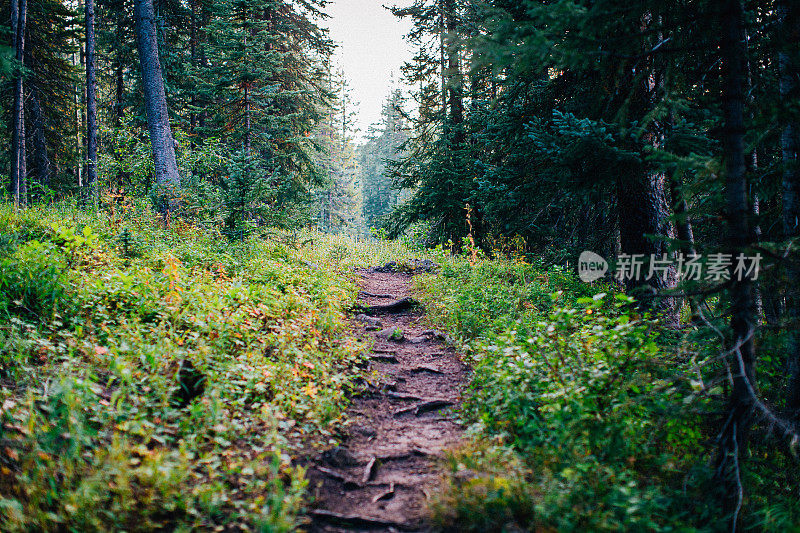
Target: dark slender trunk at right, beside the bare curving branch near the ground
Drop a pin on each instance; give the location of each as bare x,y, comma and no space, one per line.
732,438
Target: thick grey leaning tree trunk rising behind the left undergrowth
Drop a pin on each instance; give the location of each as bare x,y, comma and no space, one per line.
166,166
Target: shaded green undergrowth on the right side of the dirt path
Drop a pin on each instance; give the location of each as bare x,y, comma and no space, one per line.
584,416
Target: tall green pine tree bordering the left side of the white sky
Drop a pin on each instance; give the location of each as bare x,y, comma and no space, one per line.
266,81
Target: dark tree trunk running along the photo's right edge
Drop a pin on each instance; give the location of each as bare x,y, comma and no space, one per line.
790,146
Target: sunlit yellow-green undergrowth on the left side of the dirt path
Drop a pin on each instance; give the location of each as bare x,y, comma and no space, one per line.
160,376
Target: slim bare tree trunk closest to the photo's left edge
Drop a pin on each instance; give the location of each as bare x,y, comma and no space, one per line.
18,153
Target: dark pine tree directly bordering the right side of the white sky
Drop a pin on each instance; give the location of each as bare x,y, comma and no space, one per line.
438,166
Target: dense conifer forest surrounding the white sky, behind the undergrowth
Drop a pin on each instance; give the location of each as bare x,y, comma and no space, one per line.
666,130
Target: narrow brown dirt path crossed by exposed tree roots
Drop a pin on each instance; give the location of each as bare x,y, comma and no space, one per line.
382,475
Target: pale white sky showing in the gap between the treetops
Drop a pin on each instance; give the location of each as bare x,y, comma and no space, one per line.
371,49
